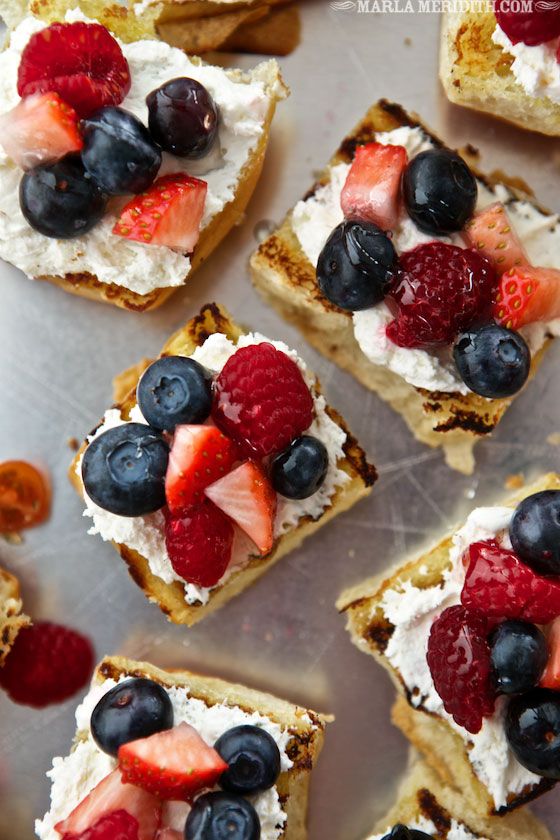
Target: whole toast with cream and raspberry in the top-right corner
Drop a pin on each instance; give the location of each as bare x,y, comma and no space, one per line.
478,71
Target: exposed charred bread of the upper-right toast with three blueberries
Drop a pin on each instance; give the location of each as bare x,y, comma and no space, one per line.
285,277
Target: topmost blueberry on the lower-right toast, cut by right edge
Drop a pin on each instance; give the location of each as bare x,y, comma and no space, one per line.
535,532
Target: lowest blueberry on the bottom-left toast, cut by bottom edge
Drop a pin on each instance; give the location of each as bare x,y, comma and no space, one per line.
222,816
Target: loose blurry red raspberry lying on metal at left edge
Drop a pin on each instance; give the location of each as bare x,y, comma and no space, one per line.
48,663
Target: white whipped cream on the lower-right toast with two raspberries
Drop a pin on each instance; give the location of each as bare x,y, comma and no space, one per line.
412,610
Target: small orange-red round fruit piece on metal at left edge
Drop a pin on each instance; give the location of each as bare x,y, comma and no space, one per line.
25,497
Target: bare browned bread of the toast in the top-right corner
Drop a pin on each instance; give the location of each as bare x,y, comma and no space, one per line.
476,72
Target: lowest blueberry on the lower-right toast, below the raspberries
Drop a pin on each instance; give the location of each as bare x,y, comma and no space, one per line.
532,728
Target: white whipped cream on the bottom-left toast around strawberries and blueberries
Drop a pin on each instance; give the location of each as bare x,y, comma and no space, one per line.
74,776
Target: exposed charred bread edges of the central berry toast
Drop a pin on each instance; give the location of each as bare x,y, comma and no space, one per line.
171,597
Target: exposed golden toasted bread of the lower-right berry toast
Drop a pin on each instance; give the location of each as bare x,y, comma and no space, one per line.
371,631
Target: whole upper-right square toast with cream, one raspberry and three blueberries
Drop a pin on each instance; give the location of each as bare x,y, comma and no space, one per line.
402,314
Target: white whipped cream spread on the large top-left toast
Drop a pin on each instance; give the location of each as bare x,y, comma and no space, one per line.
243,104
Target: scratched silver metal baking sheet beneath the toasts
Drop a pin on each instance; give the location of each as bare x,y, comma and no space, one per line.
59,353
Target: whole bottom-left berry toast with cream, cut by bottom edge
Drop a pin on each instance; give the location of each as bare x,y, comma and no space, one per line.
164,750
